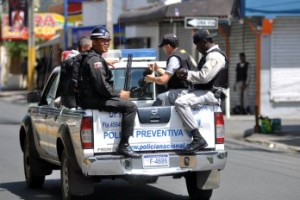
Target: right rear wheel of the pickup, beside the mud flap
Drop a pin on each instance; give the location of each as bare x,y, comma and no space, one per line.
193,190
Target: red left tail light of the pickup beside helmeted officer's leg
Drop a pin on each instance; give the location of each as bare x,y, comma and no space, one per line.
86,133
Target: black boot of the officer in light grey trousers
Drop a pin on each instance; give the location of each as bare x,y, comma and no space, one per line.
198,143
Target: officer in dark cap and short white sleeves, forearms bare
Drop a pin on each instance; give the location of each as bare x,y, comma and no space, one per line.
178,58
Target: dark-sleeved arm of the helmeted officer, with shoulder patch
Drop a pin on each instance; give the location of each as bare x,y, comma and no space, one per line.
102,86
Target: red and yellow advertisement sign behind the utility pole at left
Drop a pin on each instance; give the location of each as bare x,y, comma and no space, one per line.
45,26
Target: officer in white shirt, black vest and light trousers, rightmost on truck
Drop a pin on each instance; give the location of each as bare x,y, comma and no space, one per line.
210,81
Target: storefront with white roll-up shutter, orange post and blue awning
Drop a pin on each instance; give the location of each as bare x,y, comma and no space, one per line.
278,55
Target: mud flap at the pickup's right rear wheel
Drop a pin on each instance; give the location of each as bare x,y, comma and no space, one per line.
208,179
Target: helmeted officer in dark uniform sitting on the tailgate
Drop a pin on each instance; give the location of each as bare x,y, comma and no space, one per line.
97,89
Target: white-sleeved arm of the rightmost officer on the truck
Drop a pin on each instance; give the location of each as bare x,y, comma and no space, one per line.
214,63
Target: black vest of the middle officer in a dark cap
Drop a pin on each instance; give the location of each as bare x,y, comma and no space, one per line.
185,62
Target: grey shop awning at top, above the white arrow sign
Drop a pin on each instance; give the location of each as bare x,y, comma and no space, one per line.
205,8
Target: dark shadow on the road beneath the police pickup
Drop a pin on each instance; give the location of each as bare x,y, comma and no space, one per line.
106,190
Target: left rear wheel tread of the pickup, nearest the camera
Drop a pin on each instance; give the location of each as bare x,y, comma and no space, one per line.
64,177
